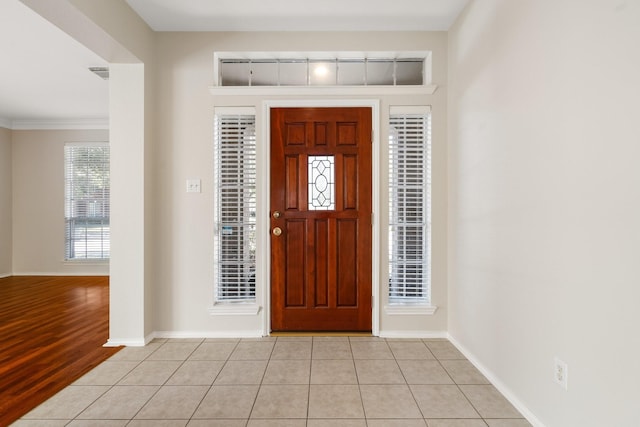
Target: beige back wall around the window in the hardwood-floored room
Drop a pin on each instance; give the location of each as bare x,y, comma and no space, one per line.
38,202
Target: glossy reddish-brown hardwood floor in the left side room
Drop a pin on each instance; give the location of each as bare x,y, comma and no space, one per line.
52,330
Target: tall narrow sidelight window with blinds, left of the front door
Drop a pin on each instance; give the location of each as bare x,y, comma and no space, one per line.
235,210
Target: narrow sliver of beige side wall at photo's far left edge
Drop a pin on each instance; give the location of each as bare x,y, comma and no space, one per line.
5,202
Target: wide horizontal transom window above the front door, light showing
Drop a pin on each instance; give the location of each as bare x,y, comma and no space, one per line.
323,69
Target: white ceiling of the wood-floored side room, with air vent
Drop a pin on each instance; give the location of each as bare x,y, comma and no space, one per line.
44,74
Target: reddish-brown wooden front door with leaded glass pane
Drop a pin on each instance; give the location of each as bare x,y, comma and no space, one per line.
321,219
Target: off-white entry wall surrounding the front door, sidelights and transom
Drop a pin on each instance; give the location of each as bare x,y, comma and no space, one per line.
184,222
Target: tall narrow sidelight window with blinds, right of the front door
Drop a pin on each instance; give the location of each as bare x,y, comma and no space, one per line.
409,206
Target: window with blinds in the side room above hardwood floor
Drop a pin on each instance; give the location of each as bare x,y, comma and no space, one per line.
86,174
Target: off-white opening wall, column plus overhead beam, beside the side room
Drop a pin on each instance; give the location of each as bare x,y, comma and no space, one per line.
116,33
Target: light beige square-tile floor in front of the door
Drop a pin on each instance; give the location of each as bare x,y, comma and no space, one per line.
282,382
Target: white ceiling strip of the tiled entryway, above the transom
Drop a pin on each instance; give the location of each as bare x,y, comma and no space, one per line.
298,15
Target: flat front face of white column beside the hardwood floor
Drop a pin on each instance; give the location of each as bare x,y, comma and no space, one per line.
127,125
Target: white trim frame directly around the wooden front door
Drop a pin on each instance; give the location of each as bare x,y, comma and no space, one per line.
263,265
